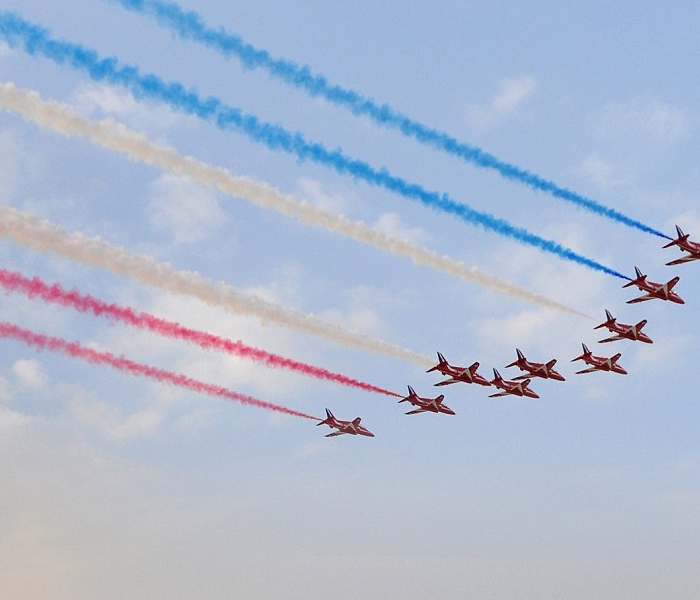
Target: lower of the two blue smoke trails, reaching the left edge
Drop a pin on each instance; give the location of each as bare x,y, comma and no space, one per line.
36,41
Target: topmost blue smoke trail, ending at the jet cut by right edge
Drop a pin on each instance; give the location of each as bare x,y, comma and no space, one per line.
190,25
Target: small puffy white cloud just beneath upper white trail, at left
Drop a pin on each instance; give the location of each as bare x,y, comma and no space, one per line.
189,210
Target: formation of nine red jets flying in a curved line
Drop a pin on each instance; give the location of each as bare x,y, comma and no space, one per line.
520,384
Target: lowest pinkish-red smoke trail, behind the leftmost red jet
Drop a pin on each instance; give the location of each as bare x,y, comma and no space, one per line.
54,344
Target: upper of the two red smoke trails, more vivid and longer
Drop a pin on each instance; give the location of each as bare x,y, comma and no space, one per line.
36,287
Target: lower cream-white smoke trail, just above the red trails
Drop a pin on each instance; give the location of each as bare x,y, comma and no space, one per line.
46,237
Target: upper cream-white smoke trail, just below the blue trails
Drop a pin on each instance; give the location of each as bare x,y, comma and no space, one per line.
109,134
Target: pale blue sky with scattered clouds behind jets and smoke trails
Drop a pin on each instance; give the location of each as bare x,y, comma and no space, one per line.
119,486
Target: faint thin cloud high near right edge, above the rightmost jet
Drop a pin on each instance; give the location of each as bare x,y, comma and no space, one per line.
662,122
